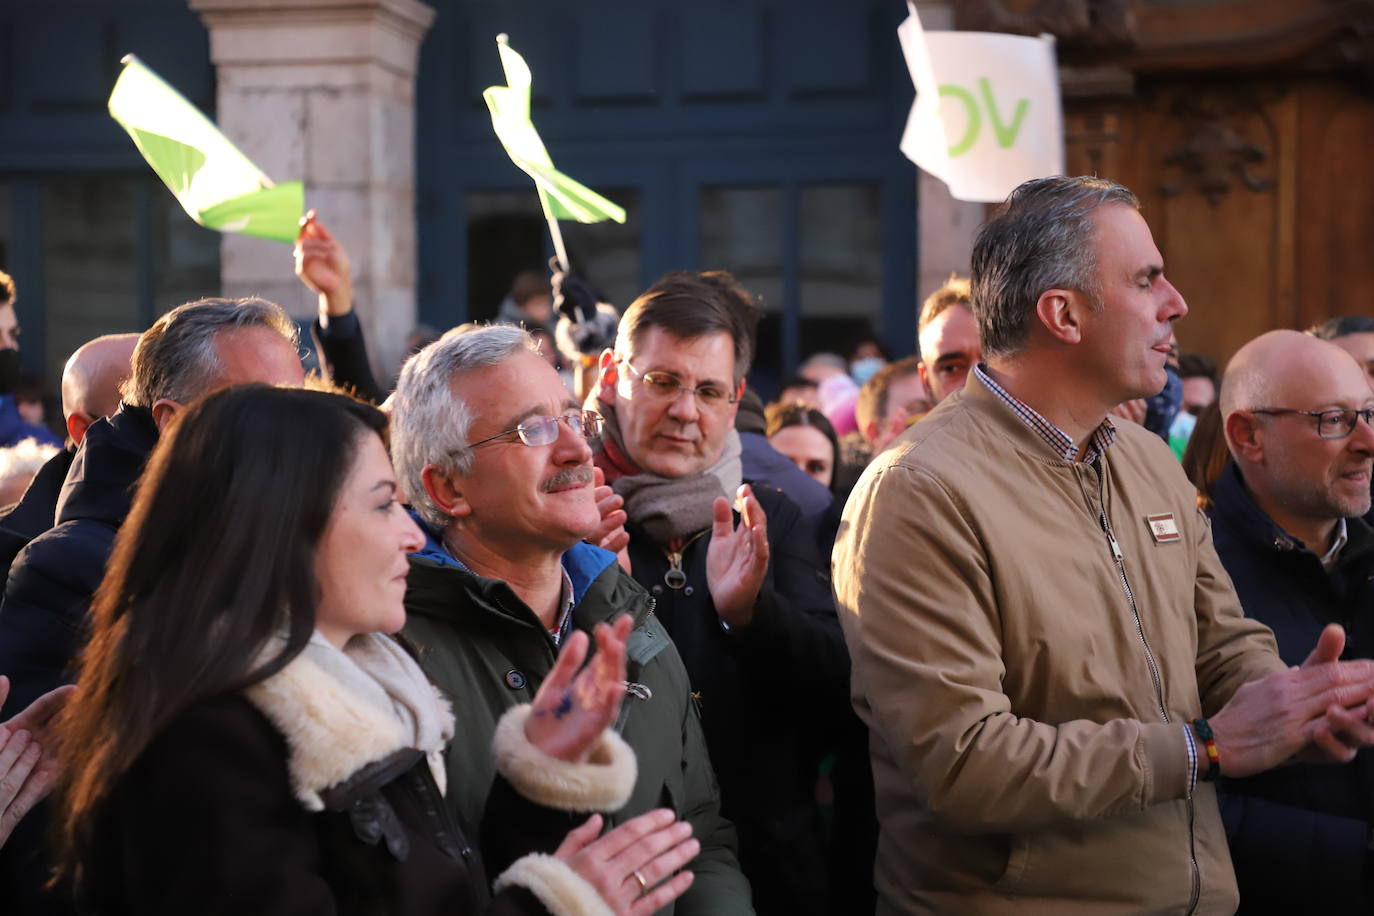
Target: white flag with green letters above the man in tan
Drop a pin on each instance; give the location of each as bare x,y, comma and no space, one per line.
987,115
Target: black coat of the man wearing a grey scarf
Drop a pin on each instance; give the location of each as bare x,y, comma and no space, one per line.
774,700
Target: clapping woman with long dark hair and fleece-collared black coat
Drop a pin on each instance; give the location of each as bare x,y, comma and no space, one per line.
245,738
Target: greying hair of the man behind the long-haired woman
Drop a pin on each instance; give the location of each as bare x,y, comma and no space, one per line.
177,359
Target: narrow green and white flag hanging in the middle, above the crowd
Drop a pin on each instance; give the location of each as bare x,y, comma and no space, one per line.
561,197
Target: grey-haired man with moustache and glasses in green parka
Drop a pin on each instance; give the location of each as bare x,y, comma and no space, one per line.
497,461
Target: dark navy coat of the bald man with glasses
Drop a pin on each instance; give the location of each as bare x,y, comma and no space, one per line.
1299,834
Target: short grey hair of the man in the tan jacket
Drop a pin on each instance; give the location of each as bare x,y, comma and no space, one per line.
1039,240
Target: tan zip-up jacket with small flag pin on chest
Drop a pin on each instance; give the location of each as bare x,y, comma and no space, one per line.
1027,720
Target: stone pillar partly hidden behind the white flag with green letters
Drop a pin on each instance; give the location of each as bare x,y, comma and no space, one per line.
946,227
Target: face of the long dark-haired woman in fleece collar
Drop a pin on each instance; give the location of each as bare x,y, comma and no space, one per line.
361,561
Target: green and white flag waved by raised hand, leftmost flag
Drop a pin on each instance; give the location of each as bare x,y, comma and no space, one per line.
216,185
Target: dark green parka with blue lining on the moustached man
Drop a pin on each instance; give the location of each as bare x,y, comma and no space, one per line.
488,652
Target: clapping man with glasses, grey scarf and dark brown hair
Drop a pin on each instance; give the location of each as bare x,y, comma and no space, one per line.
737,579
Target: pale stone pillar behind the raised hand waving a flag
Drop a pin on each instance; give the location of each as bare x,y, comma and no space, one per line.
325,91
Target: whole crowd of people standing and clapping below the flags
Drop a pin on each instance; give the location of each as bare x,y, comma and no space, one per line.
1049,617
